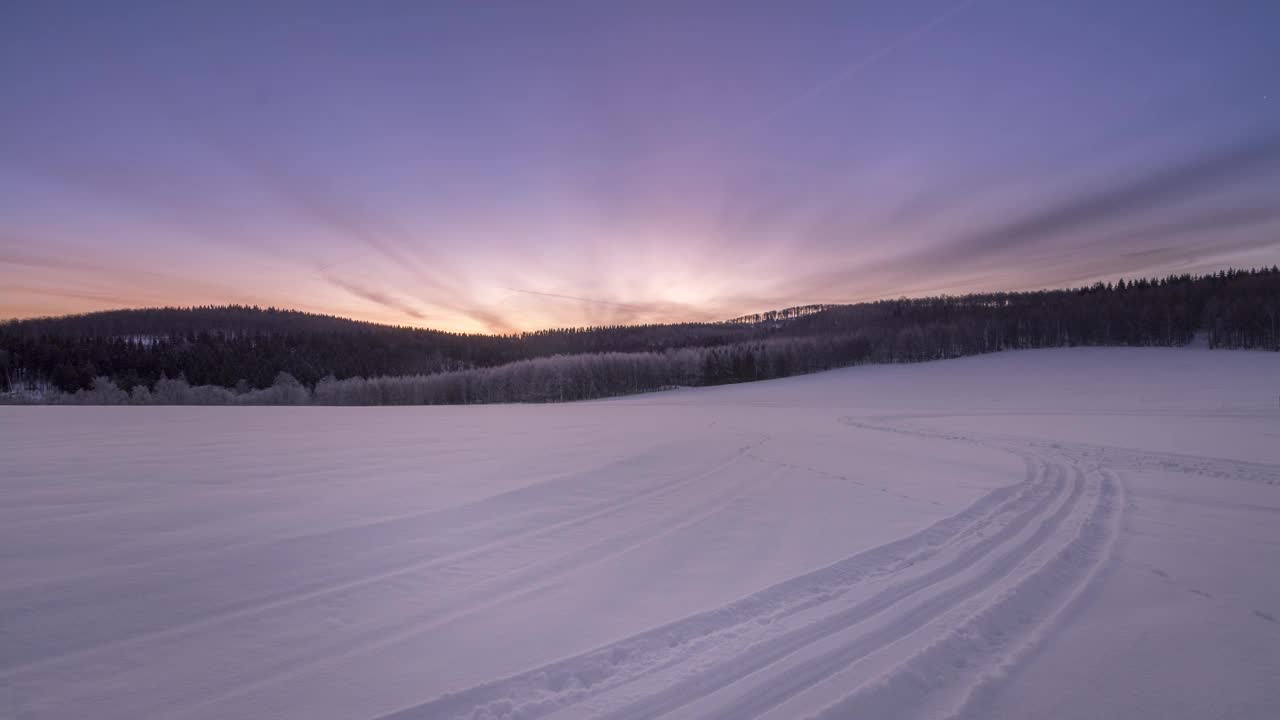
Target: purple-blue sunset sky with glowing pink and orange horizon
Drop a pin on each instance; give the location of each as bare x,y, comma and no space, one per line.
500,167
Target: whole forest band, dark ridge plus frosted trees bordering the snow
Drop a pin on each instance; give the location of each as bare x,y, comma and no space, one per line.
269,357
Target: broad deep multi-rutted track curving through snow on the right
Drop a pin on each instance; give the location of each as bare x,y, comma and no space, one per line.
1012,540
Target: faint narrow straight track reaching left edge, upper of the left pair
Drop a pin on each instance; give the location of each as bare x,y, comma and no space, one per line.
286,600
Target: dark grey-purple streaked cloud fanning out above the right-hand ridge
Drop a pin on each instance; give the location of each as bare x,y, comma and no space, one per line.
1090,218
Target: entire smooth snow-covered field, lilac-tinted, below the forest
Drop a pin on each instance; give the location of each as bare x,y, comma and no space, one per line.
1067,534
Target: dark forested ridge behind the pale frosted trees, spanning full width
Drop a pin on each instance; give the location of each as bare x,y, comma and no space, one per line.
246,348
